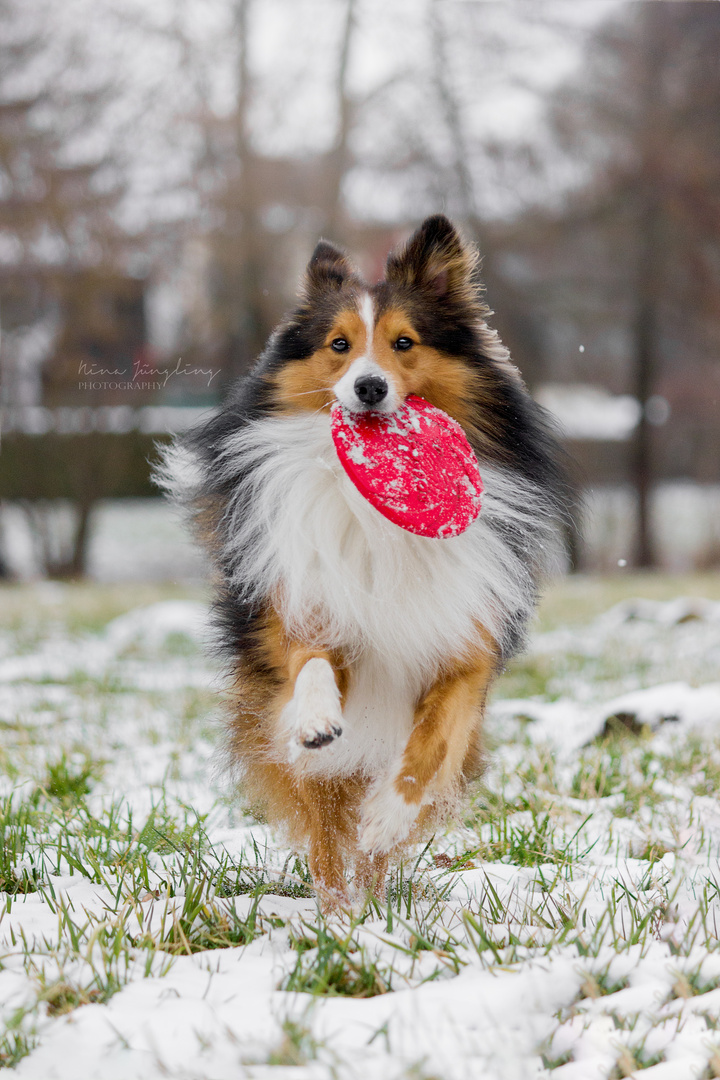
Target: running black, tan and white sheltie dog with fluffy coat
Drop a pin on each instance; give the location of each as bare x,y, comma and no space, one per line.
361,654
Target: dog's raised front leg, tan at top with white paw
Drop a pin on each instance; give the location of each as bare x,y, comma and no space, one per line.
314,717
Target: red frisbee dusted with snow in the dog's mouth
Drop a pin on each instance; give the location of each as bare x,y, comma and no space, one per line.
415,466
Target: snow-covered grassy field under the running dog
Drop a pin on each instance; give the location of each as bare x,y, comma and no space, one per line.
568,928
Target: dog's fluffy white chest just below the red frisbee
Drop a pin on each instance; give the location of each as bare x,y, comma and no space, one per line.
341,574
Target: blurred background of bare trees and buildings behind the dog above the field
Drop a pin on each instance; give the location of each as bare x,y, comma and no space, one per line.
167,169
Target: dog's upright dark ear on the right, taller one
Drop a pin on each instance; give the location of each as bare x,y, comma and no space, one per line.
437,260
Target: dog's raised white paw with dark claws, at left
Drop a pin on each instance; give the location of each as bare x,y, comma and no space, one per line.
314,719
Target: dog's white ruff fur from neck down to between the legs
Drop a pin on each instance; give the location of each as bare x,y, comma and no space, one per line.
343,576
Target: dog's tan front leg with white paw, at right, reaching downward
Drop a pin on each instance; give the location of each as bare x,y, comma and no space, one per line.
445,723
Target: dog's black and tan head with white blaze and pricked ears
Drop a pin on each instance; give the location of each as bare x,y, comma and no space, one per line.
370,347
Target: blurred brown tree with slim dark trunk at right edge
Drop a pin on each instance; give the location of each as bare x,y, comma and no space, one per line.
644,128
